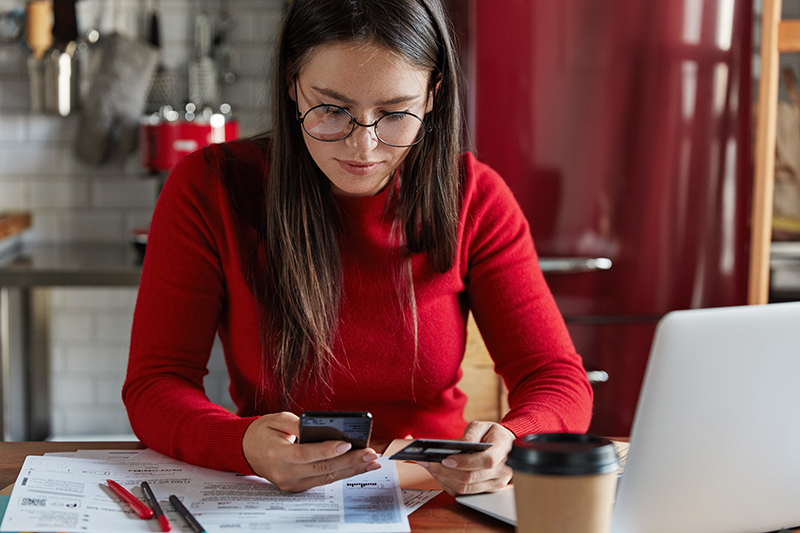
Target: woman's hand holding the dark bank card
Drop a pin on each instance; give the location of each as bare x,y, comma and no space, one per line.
484,471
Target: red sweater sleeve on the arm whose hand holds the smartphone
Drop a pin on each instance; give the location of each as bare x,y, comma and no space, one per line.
180,300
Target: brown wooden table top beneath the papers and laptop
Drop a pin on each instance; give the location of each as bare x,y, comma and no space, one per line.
442,514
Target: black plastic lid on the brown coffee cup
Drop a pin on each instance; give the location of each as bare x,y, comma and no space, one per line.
563,454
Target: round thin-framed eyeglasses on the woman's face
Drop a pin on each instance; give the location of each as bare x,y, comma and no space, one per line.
331,123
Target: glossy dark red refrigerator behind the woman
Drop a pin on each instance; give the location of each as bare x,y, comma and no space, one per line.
623,128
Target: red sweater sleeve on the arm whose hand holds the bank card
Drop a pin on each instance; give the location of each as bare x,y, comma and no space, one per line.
517,314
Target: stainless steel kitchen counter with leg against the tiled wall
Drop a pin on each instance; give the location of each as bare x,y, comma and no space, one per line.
26,276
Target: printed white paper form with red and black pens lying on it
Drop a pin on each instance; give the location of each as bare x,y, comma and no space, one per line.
69,494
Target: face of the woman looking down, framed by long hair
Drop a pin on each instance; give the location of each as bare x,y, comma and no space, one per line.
369,81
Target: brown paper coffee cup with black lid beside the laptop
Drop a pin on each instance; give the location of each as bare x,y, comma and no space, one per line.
563,483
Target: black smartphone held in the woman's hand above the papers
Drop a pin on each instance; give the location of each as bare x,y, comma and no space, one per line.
354,427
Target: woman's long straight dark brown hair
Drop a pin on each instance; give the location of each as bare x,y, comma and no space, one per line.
304,273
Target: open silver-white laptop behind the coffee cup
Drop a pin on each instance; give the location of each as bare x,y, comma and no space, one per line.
715,443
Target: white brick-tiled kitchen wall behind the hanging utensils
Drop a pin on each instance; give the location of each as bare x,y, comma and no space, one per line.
73,200
